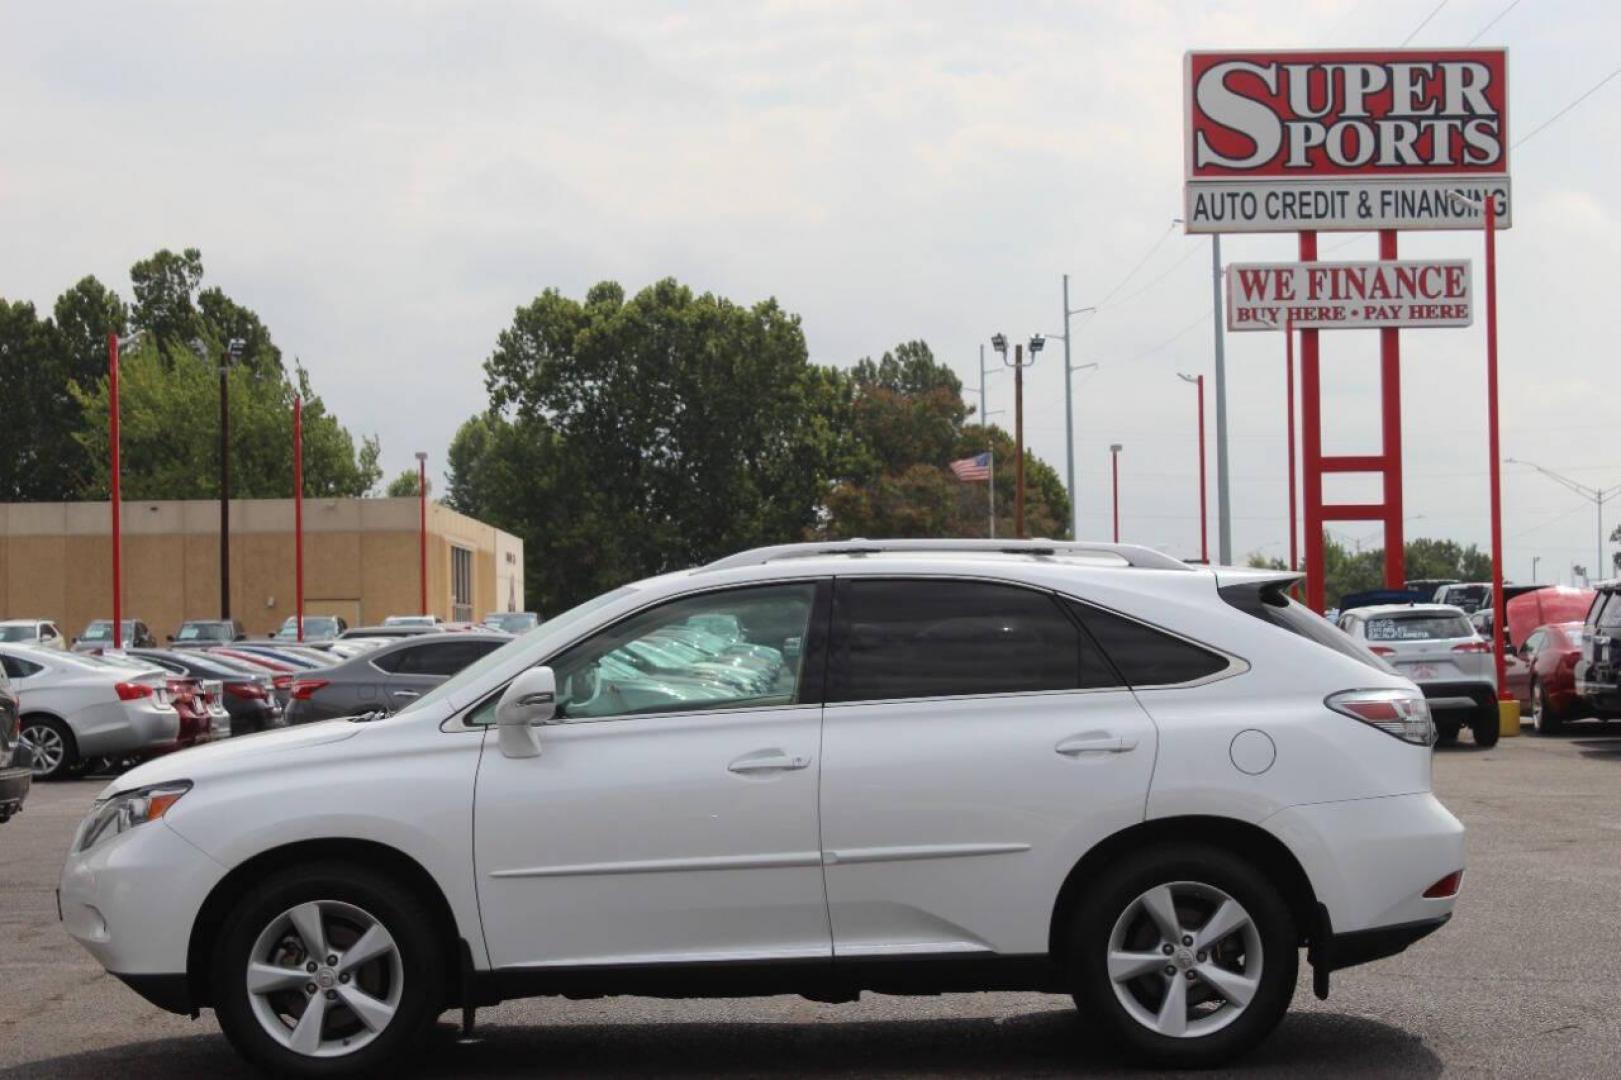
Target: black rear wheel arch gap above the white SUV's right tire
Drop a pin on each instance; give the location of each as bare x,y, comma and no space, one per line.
1226,834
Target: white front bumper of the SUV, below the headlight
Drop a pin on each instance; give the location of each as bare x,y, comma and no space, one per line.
130,901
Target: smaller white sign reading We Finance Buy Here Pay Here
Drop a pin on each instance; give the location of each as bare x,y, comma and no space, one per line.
1349,296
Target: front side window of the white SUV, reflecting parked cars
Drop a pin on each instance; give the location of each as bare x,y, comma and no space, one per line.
661,661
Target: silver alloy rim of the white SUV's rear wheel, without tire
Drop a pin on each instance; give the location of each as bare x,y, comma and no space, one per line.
1186,959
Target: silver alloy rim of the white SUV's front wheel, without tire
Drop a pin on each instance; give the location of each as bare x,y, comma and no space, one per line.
325,979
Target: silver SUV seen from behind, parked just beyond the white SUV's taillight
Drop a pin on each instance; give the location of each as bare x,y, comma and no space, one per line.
1435,646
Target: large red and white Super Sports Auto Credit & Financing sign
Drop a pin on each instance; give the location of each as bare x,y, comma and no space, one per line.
1283,142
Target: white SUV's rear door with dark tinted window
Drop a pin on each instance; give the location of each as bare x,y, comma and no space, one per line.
975,745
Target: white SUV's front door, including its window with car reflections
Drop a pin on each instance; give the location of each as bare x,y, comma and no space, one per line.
670,818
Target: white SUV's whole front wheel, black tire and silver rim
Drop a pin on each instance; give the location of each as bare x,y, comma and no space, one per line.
327,971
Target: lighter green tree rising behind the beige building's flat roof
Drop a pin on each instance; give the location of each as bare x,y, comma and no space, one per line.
171,444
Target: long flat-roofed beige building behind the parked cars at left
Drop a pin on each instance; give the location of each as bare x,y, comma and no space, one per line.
361,562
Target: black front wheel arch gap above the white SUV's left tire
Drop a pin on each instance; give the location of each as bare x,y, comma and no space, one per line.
369,854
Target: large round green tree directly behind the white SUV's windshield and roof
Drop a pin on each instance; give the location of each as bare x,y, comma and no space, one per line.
670,429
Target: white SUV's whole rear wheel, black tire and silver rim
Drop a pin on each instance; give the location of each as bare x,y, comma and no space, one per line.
1186,954
